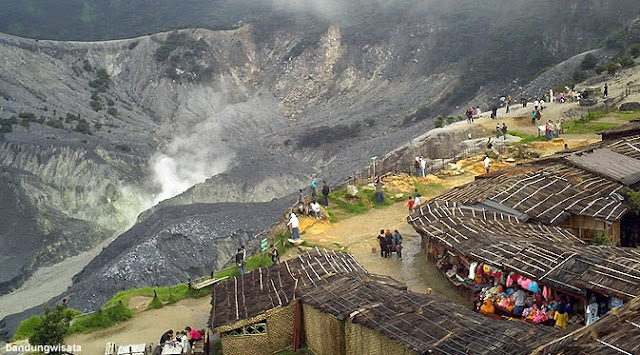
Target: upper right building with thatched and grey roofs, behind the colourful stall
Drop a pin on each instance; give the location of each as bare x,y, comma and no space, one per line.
583,190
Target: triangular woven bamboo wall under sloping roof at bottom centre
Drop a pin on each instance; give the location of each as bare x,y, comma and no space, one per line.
361,340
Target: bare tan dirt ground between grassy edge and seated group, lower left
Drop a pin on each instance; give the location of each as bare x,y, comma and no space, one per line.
147,326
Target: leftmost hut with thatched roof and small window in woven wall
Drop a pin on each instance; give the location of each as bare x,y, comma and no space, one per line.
255,313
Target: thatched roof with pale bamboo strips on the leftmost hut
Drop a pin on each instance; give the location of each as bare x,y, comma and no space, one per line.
253,294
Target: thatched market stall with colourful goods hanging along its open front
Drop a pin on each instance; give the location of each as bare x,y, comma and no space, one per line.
486,253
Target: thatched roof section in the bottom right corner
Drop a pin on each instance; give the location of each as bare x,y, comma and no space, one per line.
618,332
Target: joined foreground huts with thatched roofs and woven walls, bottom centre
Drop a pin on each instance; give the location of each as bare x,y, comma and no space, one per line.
327,302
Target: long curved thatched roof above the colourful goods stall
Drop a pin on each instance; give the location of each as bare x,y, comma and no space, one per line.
551,255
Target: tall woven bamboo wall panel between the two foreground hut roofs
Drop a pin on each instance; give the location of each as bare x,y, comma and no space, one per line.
323,332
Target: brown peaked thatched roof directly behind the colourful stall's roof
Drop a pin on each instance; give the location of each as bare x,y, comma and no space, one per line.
547,192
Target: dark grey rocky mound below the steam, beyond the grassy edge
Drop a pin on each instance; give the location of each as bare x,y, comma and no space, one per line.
172,245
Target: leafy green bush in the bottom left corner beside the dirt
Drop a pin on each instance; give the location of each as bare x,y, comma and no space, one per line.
54,327
